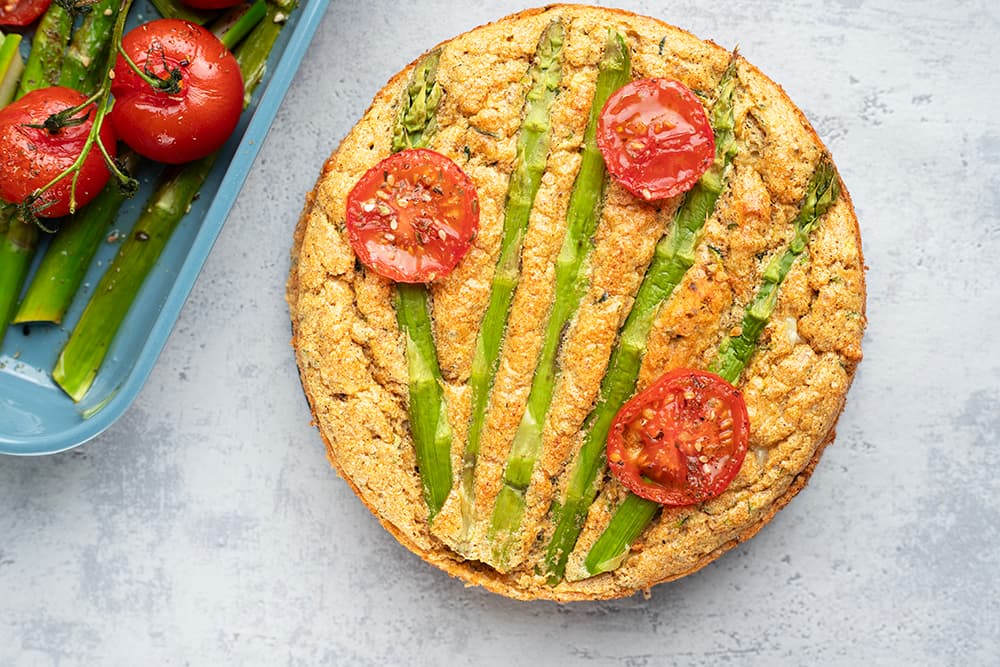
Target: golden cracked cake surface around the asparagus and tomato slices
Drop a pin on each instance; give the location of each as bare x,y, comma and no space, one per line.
353,354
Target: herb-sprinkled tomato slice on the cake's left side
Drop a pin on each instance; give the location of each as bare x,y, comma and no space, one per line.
412,217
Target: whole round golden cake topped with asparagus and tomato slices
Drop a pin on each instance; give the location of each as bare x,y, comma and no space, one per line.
577,303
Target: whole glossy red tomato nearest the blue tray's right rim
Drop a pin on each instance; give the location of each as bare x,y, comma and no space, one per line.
197,120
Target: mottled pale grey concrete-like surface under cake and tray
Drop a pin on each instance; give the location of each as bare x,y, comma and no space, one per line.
206,528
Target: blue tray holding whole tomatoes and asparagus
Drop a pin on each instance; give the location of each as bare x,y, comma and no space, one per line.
36,417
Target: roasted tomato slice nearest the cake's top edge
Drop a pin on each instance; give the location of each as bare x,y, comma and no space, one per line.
655,138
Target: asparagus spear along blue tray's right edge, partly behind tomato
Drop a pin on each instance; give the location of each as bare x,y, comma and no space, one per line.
87,346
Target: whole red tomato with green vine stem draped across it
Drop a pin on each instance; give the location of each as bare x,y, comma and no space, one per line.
30,157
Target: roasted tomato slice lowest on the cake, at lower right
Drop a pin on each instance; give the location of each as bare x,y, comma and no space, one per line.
682,440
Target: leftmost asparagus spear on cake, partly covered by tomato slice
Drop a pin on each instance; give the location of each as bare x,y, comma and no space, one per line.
428,411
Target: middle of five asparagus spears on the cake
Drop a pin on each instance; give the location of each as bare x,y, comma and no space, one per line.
583,212
